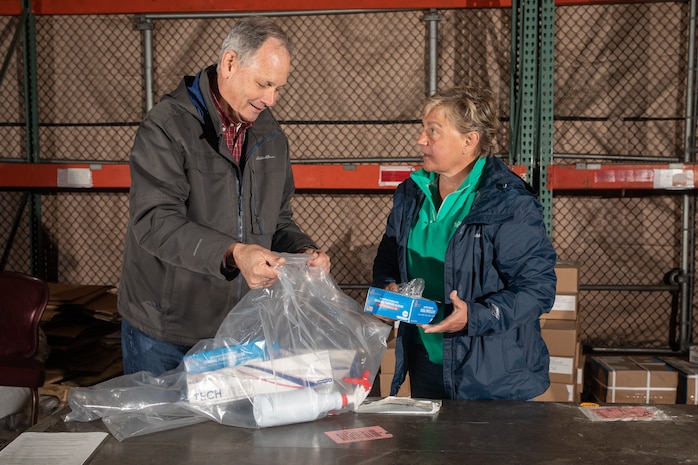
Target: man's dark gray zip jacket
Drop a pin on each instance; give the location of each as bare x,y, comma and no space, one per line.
188,202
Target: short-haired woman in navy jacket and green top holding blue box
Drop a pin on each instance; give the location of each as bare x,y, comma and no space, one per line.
474,231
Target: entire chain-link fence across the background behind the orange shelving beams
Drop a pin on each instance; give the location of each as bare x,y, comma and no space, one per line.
355,93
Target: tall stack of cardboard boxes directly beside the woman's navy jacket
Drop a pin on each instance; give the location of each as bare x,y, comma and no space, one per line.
560,331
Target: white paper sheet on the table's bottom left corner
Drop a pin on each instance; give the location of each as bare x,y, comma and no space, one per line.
51,448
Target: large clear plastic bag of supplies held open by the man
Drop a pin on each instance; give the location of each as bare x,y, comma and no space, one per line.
296,351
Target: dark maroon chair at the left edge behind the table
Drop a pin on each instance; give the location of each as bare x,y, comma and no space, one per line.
23,299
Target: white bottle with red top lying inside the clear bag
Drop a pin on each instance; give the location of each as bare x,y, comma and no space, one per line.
285,408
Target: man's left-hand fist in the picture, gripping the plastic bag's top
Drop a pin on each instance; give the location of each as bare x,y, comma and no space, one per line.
256,264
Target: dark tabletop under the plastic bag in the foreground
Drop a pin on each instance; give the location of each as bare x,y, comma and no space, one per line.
463,432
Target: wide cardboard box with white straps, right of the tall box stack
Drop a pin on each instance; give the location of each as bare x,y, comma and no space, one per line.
632,379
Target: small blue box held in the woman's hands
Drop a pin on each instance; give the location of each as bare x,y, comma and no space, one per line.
400,307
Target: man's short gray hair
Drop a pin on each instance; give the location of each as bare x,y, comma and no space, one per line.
249,34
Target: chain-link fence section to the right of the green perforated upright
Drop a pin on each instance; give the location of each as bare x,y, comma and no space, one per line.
620,84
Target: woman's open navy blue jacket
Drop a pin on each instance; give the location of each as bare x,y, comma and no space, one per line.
501,262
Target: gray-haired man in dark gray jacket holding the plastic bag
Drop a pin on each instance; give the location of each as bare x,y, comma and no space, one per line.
211,189
